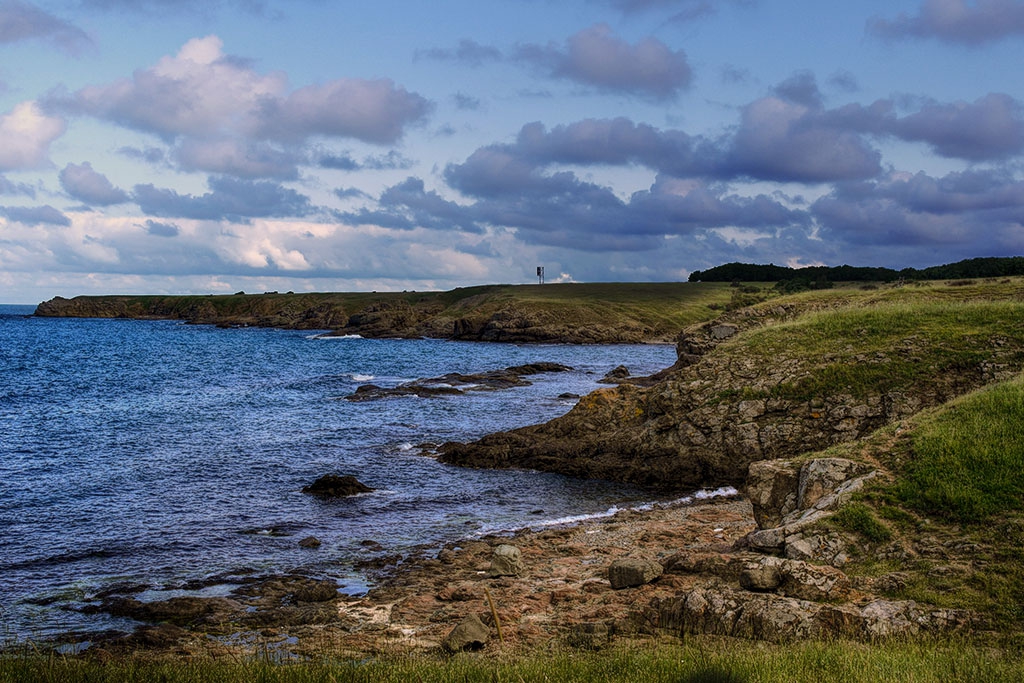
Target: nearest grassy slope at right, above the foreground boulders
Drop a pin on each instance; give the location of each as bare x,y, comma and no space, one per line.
948,523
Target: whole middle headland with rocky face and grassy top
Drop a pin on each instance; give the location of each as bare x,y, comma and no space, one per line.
769,382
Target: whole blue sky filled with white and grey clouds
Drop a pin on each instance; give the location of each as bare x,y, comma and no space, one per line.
181,147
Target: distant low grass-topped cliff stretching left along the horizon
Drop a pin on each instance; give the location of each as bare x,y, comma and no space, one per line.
578,314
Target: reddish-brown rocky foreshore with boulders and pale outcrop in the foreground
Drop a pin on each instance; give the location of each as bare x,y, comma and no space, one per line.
752,567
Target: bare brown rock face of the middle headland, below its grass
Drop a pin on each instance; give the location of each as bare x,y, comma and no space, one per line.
719,409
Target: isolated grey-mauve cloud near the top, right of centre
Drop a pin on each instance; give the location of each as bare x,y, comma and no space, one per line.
598,59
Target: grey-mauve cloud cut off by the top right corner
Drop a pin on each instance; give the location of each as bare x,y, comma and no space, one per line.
956,21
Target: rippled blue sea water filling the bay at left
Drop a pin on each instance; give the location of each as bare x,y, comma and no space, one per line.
159,454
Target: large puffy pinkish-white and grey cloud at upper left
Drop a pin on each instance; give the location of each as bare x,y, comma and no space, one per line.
201,95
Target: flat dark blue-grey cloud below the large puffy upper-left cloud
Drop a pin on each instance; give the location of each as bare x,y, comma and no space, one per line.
230,199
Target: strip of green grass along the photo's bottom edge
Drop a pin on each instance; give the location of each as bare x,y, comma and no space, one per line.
699,660
